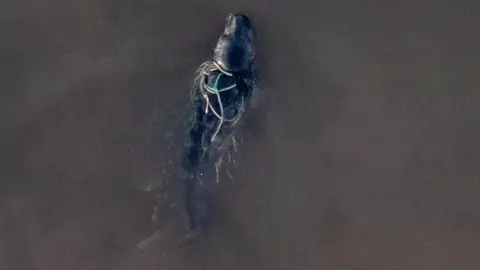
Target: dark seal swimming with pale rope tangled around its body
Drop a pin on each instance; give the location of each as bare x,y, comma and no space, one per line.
221,93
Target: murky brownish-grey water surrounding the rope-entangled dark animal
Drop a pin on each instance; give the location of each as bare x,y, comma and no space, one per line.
362,153
